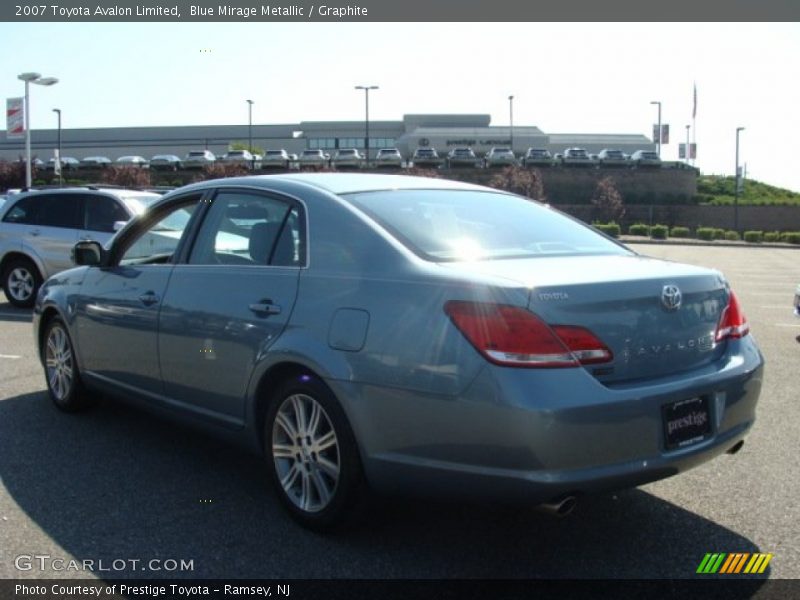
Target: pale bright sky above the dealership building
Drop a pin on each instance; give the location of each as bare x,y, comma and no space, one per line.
565,78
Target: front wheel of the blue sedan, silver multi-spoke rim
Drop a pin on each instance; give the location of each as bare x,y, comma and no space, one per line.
64,385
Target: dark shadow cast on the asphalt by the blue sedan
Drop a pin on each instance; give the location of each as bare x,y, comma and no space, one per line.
115,483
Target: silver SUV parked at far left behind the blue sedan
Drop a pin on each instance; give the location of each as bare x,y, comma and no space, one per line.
39,228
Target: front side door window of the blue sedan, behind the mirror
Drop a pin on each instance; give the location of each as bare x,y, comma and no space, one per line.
156,242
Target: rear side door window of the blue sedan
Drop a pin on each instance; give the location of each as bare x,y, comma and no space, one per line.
250,229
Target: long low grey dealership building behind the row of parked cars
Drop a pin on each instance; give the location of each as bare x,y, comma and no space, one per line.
442,132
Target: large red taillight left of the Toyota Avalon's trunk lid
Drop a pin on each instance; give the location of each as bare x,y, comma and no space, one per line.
512,336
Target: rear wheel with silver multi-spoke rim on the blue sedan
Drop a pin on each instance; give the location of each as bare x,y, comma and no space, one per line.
317,476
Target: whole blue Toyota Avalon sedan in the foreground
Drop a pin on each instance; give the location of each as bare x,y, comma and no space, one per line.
412,335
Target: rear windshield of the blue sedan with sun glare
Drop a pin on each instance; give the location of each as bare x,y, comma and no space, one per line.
455,225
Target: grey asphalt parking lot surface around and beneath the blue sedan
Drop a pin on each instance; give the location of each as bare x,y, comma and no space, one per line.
116,484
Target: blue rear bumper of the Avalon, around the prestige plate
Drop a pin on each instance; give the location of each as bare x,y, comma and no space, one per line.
530,436
